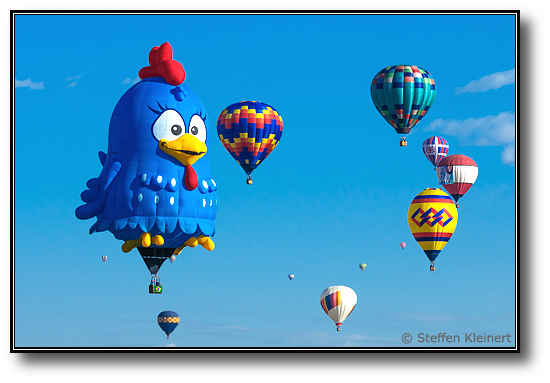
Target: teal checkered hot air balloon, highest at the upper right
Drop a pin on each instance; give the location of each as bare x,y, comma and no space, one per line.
403,94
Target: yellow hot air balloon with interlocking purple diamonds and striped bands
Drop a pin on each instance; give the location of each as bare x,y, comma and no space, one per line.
432,219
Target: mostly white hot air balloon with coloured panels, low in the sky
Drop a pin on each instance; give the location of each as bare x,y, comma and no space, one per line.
338,302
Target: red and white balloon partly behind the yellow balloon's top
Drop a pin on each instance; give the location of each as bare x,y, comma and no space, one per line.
457,173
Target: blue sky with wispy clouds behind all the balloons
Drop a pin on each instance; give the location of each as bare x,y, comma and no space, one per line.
333,194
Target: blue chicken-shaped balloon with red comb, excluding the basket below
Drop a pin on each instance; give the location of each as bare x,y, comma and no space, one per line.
156,191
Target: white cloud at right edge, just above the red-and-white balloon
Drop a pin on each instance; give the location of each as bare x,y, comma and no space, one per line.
484,131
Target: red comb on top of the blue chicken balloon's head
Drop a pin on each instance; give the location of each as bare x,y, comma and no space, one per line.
161,64
